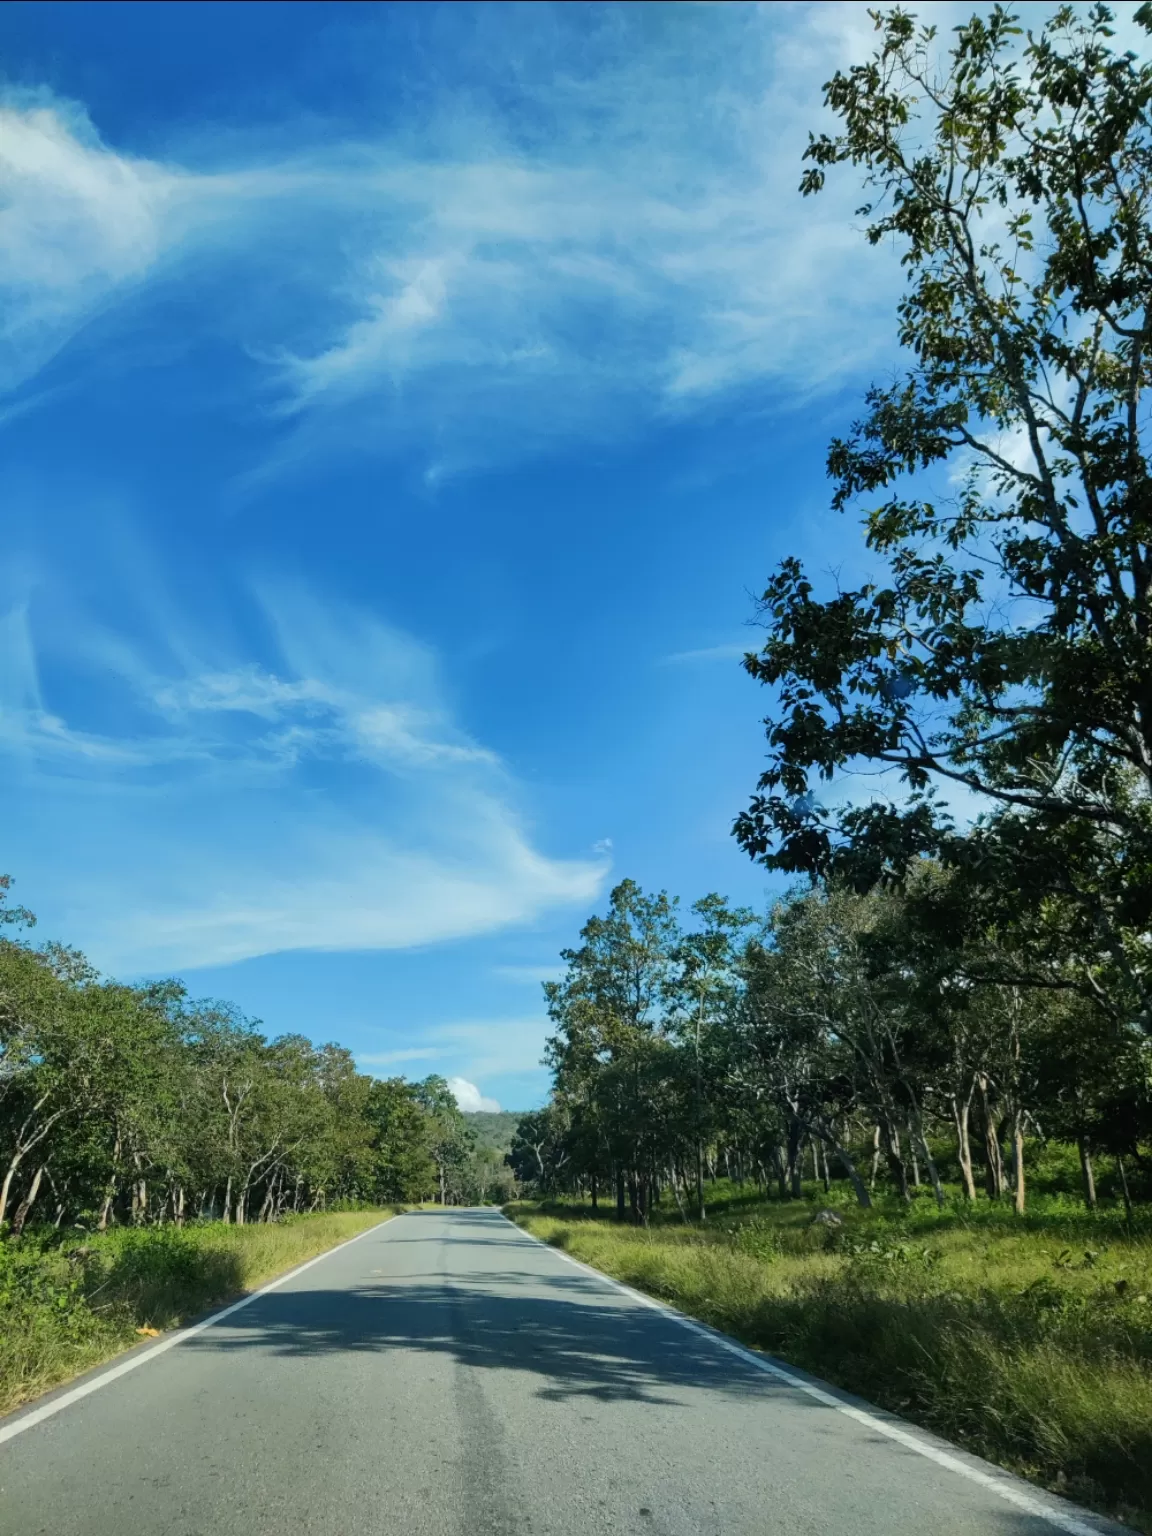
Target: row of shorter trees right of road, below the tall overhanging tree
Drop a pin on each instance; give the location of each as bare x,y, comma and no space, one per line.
881,1039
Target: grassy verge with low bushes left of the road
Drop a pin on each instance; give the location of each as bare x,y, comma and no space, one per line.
71,1305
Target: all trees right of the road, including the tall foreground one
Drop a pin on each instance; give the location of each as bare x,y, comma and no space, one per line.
970,961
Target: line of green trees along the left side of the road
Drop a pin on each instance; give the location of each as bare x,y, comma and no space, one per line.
137,1105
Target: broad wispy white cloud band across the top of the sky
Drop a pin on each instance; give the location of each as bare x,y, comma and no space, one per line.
626,245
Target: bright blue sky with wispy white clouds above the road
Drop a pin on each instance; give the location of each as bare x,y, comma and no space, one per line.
400,409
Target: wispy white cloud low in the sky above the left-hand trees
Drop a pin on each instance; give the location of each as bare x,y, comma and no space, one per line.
323,801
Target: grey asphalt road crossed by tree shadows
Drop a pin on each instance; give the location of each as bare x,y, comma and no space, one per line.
449,1375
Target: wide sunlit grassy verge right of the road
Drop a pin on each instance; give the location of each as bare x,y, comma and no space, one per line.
1028,1340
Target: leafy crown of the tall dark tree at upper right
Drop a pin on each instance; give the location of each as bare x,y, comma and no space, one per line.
1008,647
